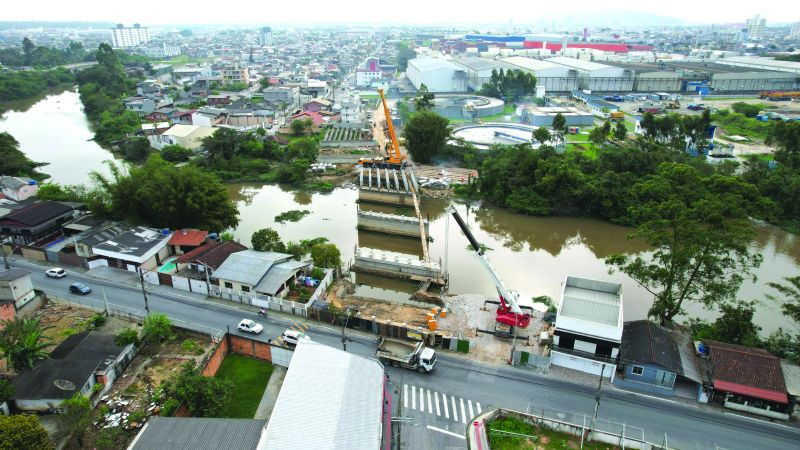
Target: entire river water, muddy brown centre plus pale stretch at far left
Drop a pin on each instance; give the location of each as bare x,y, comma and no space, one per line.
532,254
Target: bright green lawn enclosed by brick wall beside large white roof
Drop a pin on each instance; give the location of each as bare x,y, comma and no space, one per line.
249,377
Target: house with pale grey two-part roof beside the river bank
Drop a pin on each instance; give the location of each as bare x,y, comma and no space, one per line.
250,273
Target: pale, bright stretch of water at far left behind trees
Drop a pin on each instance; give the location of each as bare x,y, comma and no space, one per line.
55,130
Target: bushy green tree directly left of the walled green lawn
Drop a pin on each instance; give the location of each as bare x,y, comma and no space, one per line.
204,396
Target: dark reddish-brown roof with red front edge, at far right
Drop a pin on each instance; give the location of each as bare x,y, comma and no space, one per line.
747,371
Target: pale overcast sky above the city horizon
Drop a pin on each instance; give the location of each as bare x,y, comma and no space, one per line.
371,11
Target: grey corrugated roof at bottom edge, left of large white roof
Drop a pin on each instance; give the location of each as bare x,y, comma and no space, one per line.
191,433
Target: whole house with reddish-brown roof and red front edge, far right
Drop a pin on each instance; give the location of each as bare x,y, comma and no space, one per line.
748,379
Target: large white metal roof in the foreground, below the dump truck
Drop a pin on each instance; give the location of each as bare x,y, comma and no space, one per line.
330,400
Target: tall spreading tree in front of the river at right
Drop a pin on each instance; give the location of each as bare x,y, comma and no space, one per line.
700,229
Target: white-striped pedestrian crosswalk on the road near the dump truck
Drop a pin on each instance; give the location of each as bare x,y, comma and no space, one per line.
439,404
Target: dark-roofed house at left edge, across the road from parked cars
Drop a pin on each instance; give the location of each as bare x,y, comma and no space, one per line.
36,222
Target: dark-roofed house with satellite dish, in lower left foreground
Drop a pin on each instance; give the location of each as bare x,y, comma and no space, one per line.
74,367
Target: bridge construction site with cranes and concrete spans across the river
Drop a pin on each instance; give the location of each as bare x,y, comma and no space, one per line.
393,244
